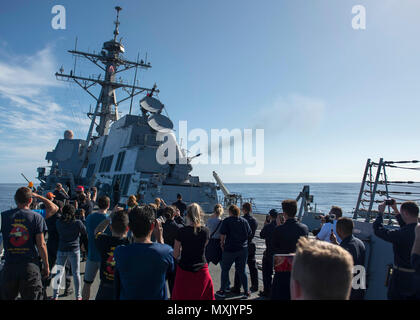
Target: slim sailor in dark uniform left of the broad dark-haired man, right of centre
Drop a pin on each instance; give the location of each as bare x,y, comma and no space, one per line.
267,260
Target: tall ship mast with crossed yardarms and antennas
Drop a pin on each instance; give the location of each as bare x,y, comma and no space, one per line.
111,61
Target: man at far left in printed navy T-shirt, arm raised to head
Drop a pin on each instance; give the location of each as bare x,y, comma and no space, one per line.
23,233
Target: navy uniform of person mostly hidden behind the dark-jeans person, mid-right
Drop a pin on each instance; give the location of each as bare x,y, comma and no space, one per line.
252,262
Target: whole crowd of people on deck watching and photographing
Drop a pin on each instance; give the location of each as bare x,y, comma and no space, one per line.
157,251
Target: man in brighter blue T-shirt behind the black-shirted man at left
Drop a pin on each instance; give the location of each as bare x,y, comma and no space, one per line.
93,262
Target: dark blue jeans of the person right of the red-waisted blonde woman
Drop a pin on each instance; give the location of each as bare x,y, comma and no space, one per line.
239,258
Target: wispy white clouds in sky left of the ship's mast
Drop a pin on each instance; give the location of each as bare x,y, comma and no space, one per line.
31,121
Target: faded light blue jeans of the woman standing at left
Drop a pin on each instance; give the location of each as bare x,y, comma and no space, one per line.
62,257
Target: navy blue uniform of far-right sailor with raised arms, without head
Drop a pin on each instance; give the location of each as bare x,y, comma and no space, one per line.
402,285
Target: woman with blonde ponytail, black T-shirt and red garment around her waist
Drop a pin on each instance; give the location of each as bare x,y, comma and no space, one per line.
192,280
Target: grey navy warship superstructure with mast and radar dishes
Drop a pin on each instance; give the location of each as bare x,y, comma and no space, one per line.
122,154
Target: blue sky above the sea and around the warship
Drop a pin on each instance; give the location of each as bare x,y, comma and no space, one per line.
327,96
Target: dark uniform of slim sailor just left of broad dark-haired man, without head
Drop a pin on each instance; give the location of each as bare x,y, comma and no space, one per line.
267,260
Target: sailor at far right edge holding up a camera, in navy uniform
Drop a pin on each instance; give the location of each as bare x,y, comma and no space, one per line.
403,281
